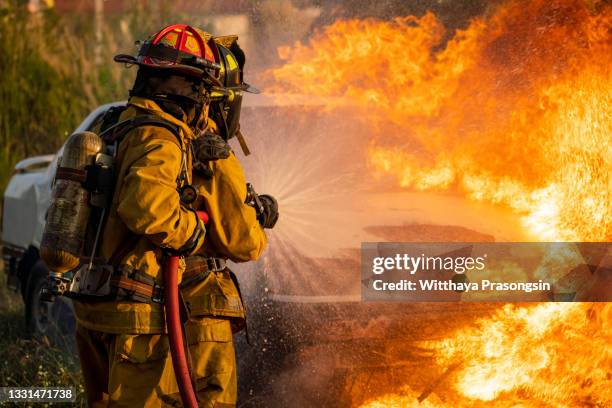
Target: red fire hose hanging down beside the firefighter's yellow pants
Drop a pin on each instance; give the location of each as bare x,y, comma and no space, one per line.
175,329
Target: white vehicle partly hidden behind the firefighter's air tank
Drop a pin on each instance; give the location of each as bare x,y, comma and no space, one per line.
26,199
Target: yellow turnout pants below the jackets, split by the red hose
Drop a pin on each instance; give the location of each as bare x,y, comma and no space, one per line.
126,370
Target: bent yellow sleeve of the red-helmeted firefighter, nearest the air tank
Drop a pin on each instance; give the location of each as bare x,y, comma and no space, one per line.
149,203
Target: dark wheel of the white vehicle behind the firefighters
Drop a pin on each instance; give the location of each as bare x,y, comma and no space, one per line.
55,320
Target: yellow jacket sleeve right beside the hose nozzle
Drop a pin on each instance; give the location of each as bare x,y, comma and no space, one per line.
233,229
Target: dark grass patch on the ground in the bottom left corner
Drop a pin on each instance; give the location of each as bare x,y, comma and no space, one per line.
31,363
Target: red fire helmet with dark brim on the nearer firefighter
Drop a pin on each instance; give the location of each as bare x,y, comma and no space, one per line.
179,47
